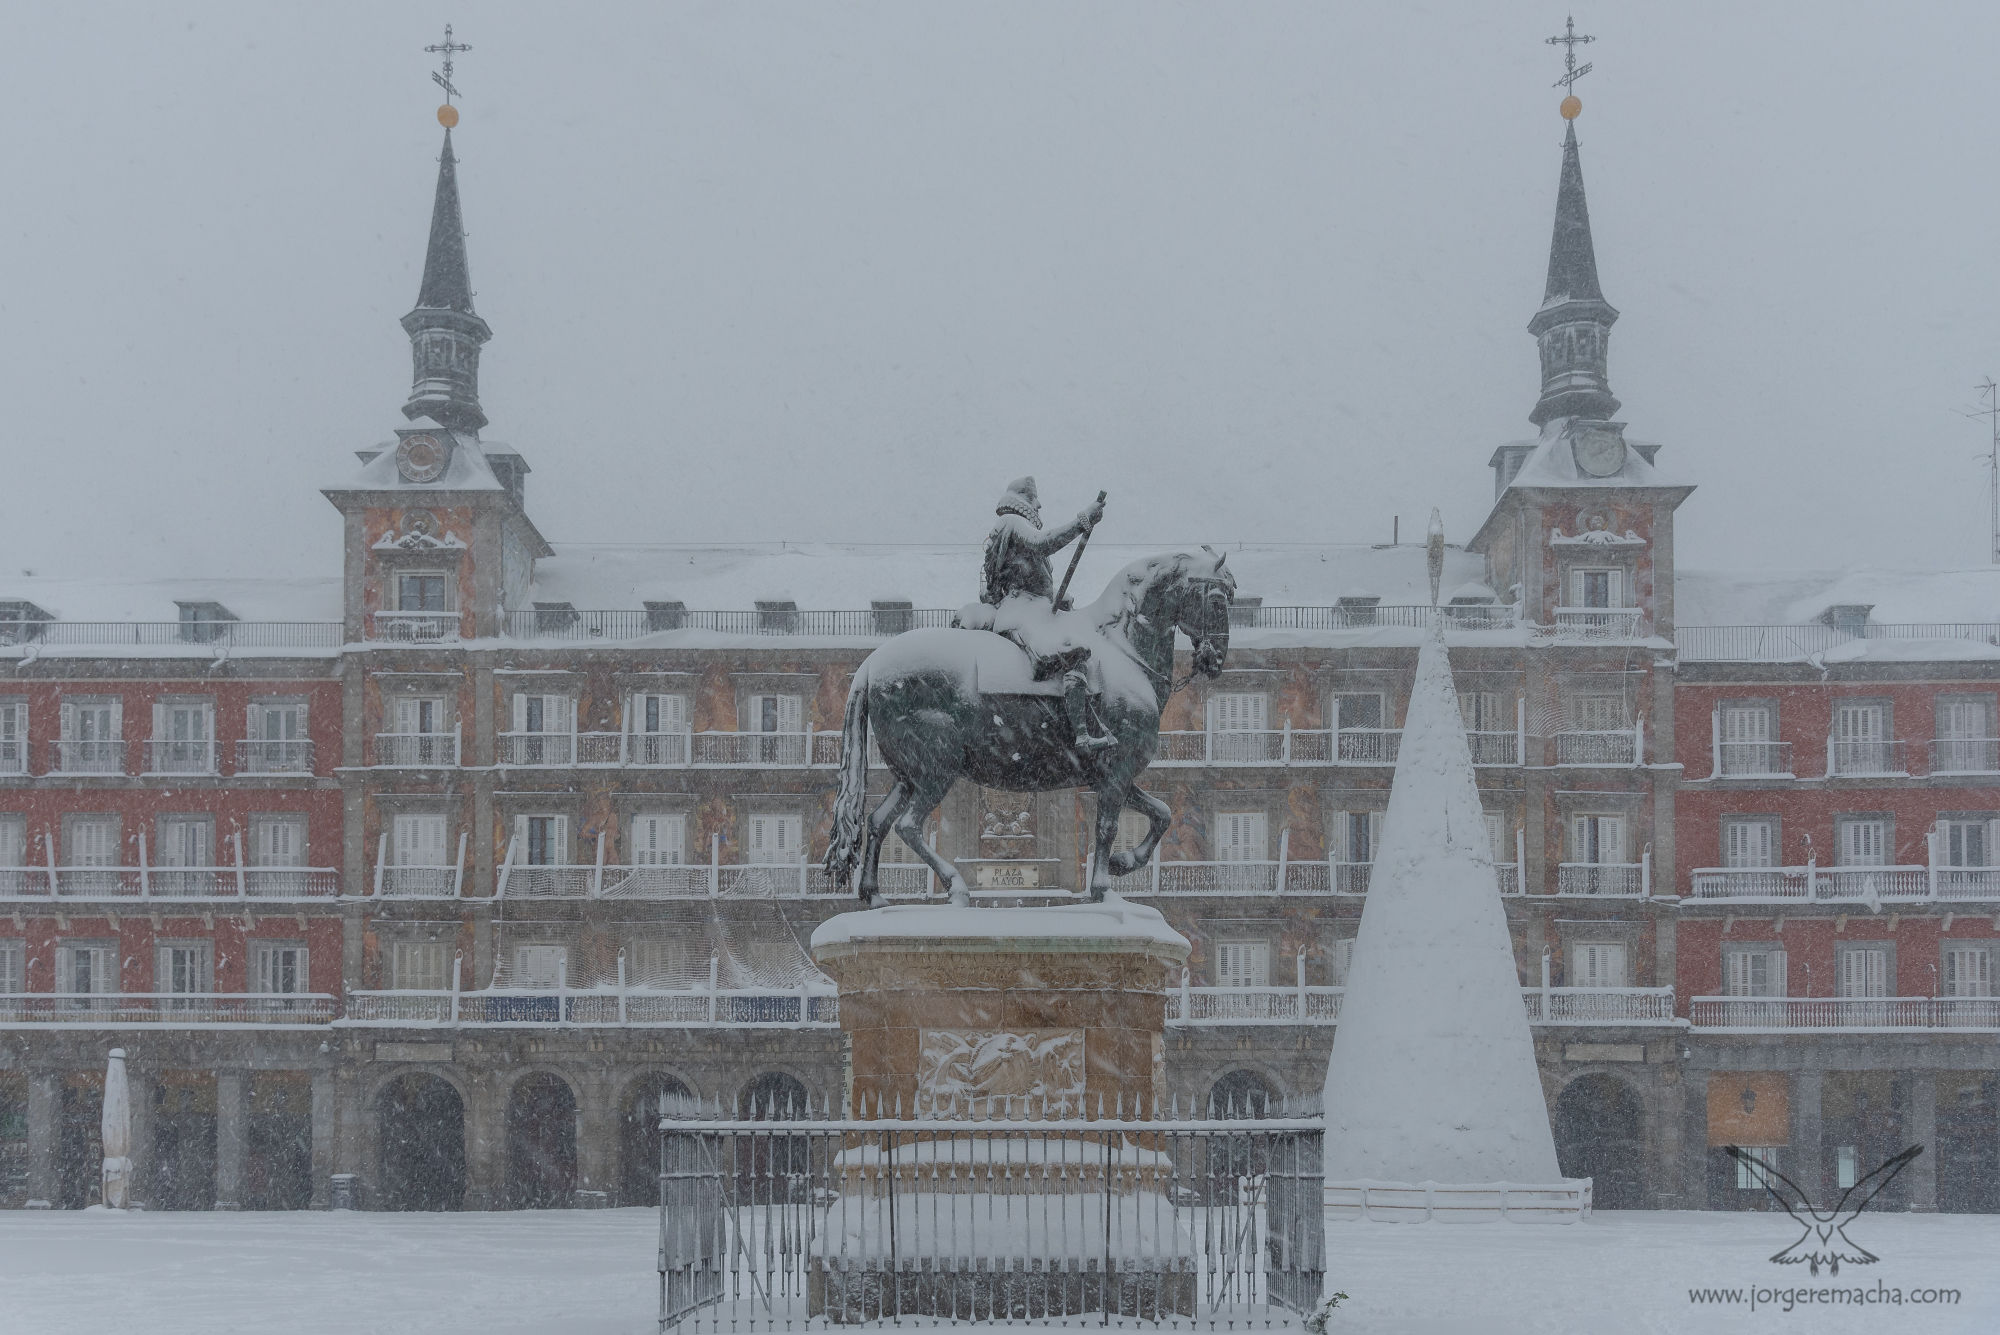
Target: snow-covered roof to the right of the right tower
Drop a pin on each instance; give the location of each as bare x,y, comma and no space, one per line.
1801,597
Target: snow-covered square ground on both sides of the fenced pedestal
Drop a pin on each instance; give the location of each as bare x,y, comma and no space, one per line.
591,1272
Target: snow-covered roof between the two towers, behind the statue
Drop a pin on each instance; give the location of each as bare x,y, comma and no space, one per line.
851,577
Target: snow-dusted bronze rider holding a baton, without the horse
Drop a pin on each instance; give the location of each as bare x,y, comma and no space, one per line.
1021,589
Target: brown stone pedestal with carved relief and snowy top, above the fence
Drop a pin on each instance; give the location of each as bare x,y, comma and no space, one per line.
1049,1012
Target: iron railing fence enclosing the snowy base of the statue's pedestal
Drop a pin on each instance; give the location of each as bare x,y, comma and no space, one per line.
819,1222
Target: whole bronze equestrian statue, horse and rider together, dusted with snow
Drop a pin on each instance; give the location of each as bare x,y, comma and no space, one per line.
1029,694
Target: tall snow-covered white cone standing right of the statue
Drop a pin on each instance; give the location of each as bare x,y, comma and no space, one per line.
1433,1074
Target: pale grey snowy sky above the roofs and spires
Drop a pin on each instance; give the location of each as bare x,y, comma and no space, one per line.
841,271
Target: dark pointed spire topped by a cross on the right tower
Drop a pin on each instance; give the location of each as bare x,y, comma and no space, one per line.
1575,323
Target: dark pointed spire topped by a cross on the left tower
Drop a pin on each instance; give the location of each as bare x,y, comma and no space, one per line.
445,331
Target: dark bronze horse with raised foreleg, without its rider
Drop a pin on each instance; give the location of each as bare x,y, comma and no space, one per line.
947,704
